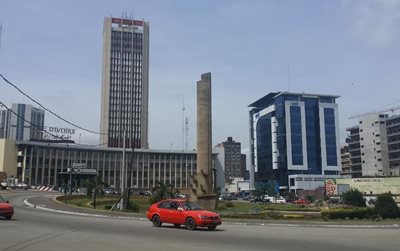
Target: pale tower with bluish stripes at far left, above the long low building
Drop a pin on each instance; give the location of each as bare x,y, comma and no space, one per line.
27,124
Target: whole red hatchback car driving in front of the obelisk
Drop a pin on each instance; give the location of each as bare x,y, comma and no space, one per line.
182,212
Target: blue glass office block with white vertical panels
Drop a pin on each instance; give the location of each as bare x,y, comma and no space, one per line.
294,140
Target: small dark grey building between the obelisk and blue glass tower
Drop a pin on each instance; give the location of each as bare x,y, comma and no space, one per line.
232,159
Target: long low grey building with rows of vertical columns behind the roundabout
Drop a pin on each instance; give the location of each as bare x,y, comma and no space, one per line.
38,163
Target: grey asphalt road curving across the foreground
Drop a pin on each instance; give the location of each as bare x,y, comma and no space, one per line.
38,229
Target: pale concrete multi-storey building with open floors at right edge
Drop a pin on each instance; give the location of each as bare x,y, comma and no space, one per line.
374,146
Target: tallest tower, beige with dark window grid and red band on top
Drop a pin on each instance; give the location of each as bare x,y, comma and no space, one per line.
125,87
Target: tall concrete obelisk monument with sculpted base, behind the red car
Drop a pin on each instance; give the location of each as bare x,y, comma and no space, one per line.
202,182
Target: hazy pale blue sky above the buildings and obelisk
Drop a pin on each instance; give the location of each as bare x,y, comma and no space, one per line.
52,50
